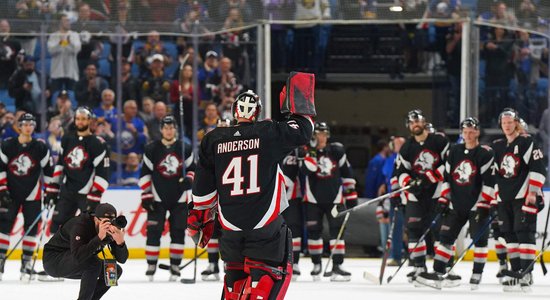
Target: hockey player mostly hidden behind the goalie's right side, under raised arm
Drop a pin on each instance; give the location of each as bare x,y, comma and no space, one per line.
293,214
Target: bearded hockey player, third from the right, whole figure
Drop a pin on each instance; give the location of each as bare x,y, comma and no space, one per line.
422,157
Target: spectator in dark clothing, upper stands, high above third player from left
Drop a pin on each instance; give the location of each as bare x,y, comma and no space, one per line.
155,83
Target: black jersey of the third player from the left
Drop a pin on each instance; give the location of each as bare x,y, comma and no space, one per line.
162,169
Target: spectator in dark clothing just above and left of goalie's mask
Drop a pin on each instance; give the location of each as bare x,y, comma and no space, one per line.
225,84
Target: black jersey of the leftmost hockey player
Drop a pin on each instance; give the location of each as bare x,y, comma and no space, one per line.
21,166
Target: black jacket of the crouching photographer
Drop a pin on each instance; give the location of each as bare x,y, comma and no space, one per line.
79,236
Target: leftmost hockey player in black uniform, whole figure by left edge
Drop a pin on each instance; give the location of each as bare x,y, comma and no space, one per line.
23,161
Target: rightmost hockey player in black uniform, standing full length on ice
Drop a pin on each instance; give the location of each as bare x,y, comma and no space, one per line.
519,179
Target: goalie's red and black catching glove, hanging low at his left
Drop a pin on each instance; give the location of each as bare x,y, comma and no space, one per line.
200,225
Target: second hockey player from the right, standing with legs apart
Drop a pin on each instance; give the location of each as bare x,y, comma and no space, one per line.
466,195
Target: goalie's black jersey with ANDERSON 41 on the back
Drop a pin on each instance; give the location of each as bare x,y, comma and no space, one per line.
238,168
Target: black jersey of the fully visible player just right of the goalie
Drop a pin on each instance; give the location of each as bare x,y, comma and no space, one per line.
328,174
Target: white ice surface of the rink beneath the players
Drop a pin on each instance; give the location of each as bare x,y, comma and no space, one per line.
133,285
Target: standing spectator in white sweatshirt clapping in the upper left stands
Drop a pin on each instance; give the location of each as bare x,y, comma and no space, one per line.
64,46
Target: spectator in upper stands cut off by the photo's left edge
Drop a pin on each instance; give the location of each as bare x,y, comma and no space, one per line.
9,48
